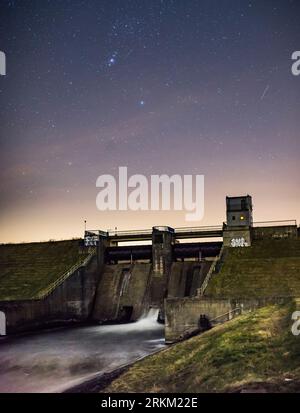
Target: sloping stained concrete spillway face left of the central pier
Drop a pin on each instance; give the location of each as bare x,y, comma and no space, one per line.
122,286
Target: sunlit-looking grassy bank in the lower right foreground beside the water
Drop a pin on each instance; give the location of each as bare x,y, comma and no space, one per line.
254,349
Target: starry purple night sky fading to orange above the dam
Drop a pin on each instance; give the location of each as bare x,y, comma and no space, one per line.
160,86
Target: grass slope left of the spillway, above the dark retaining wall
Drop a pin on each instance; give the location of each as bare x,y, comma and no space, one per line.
25,269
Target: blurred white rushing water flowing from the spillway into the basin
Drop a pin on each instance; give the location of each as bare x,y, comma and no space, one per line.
52,361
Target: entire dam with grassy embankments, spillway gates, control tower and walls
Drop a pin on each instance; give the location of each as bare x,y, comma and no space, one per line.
109,277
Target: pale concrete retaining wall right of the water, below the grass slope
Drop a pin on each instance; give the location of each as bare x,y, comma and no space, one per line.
182,314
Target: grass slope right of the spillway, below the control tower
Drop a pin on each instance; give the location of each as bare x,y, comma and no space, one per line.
269,268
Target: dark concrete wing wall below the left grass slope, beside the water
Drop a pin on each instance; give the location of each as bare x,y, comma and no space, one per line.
72,301
